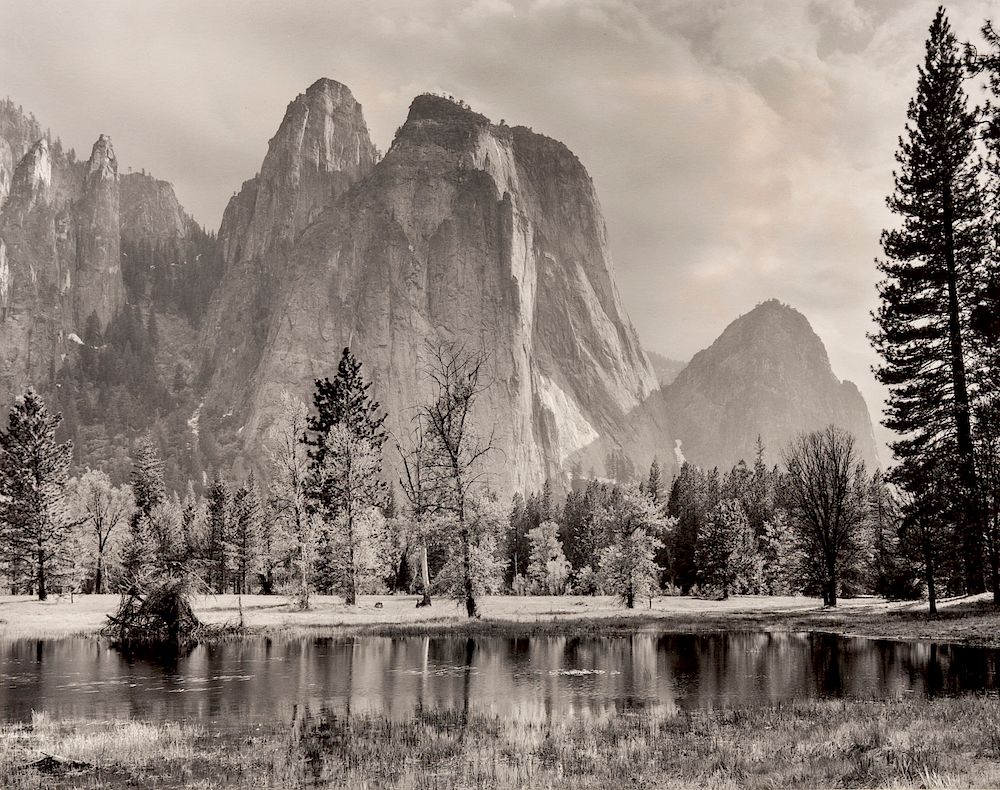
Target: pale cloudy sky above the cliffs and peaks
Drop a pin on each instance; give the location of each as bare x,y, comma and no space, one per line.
742,149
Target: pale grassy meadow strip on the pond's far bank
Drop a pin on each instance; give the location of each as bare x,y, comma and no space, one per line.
968,620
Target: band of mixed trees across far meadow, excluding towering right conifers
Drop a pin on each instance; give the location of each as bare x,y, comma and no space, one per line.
321,516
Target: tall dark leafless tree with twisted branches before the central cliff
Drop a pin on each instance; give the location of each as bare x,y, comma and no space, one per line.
456,451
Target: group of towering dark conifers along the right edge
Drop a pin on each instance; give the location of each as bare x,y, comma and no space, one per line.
938,322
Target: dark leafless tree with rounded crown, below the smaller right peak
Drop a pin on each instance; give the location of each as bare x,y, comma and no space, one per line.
825,490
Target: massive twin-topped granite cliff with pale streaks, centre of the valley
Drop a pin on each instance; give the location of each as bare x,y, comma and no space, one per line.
466,231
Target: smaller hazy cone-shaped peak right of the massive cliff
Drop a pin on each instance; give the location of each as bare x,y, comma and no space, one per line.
768,374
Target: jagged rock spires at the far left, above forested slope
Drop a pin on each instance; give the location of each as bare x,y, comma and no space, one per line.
59,251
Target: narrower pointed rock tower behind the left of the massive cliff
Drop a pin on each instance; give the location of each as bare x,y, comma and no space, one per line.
320,150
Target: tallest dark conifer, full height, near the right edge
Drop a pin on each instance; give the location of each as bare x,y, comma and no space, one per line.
931,264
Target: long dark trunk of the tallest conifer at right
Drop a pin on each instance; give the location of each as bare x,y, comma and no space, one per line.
972,537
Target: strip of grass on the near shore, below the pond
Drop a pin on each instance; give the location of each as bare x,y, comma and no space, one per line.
912,743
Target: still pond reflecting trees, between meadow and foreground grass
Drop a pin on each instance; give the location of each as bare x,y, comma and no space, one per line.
264,680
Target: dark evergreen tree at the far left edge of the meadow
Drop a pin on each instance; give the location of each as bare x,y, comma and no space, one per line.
33,474
